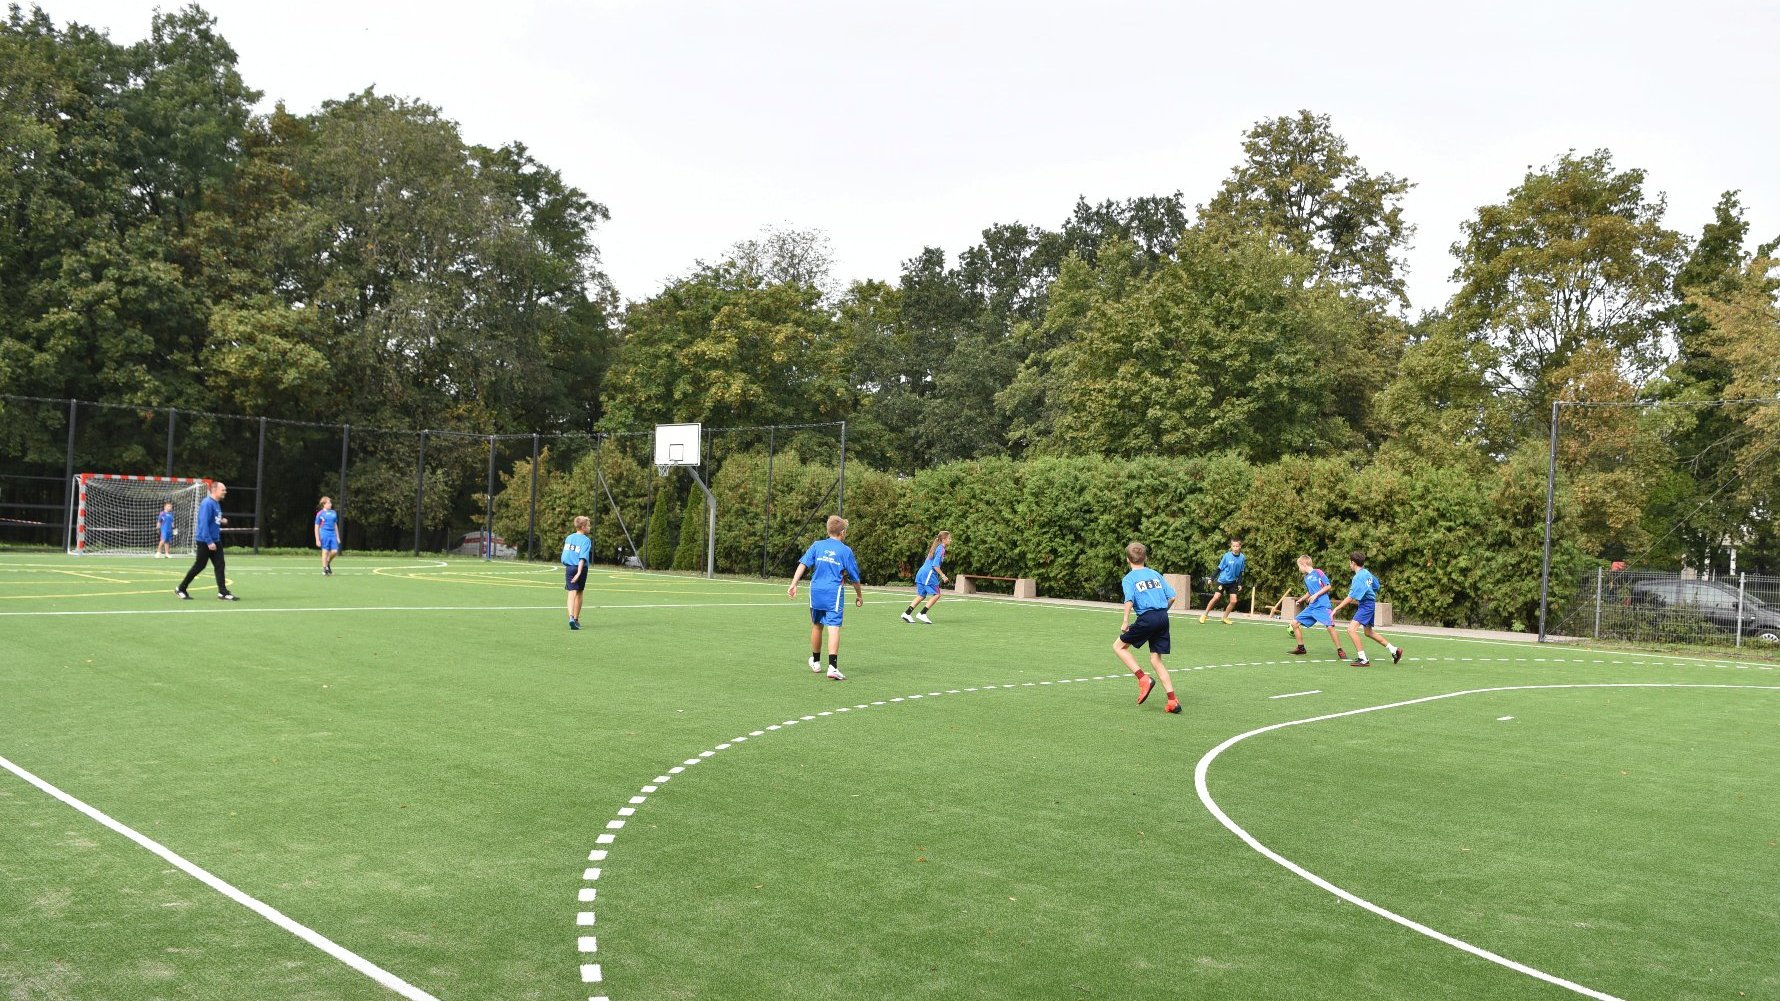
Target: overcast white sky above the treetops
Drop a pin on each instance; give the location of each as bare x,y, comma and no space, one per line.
903,126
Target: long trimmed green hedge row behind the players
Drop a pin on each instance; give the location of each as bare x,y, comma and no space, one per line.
1453,546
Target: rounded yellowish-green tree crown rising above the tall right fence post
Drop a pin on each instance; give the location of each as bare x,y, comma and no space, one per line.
1576,254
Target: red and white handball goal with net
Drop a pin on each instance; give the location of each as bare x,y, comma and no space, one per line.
118,514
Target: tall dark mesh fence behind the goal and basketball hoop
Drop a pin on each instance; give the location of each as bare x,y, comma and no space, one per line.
432,491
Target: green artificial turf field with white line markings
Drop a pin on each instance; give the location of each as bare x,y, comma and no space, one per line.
423,765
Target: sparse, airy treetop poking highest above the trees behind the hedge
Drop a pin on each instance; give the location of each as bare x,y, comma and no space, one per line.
1300,186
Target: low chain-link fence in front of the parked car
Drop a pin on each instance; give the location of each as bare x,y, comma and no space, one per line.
1651,606
